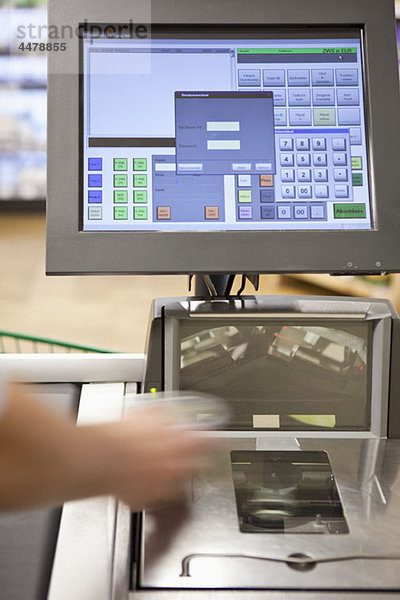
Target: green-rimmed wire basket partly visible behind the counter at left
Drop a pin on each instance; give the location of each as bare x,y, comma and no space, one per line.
16,343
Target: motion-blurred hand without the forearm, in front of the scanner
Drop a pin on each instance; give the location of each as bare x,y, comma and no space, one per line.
148,459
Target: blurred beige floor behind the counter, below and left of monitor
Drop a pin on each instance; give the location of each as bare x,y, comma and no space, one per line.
108,312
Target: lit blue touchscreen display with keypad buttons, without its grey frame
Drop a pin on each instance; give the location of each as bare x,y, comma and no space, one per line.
223,130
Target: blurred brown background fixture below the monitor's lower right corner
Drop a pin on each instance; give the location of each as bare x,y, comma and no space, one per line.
371,287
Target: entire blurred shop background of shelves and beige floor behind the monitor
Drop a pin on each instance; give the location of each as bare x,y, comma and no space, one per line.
102,311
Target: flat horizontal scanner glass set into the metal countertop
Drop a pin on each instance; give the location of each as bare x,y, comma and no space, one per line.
286,492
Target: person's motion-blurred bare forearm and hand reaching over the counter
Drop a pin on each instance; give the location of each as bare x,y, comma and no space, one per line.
45,459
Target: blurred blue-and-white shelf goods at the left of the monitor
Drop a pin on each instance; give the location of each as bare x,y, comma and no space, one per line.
22,109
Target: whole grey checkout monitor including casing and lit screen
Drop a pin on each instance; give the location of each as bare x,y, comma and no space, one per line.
245,138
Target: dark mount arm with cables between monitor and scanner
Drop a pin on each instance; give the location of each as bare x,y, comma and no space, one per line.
213,285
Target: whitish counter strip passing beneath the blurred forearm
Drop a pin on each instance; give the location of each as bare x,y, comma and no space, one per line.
83,563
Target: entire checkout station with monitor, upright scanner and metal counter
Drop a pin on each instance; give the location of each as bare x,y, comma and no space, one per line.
237,138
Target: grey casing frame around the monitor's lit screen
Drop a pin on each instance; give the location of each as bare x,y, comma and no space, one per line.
71,251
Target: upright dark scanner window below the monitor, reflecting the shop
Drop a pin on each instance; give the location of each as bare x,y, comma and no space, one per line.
281,375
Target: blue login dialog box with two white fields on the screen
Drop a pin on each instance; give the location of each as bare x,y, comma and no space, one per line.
223,133
